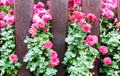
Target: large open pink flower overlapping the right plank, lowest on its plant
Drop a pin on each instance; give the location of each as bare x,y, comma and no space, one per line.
91,40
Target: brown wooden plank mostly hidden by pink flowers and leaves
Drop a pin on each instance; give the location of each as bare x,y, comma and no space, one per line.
93,6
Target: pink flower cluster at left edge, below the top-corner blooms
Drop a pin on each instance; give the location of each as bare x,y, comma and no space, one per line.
7,18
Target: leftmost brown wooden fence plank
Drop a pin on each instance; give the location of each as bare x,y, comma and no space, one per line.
23,17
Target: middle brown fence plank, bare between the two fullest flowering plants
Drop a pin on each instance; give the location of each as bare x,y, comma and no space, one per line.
59,12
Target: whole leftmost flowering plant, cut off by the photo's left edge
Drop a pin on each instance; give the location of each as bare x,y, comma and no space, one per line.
9,64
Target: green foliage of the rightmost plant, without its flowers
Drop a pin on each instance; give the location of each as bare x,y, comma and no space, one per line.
110,36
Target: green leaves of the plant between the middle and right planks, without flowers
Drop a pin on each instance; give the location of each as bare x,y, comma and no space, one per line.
79,57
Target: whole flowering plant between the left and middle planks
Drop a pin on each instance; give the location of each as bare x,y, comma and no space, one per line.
41,58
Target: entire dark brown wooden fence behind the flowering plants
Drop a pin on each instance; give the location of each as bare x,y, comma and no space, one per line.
59,12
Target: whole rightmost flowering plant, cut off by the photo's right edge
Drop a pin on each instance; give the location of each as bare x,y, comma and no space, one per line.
110,37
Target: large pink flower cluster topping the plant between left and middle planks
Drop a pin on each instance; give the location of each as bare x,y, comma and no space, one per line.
41,16
